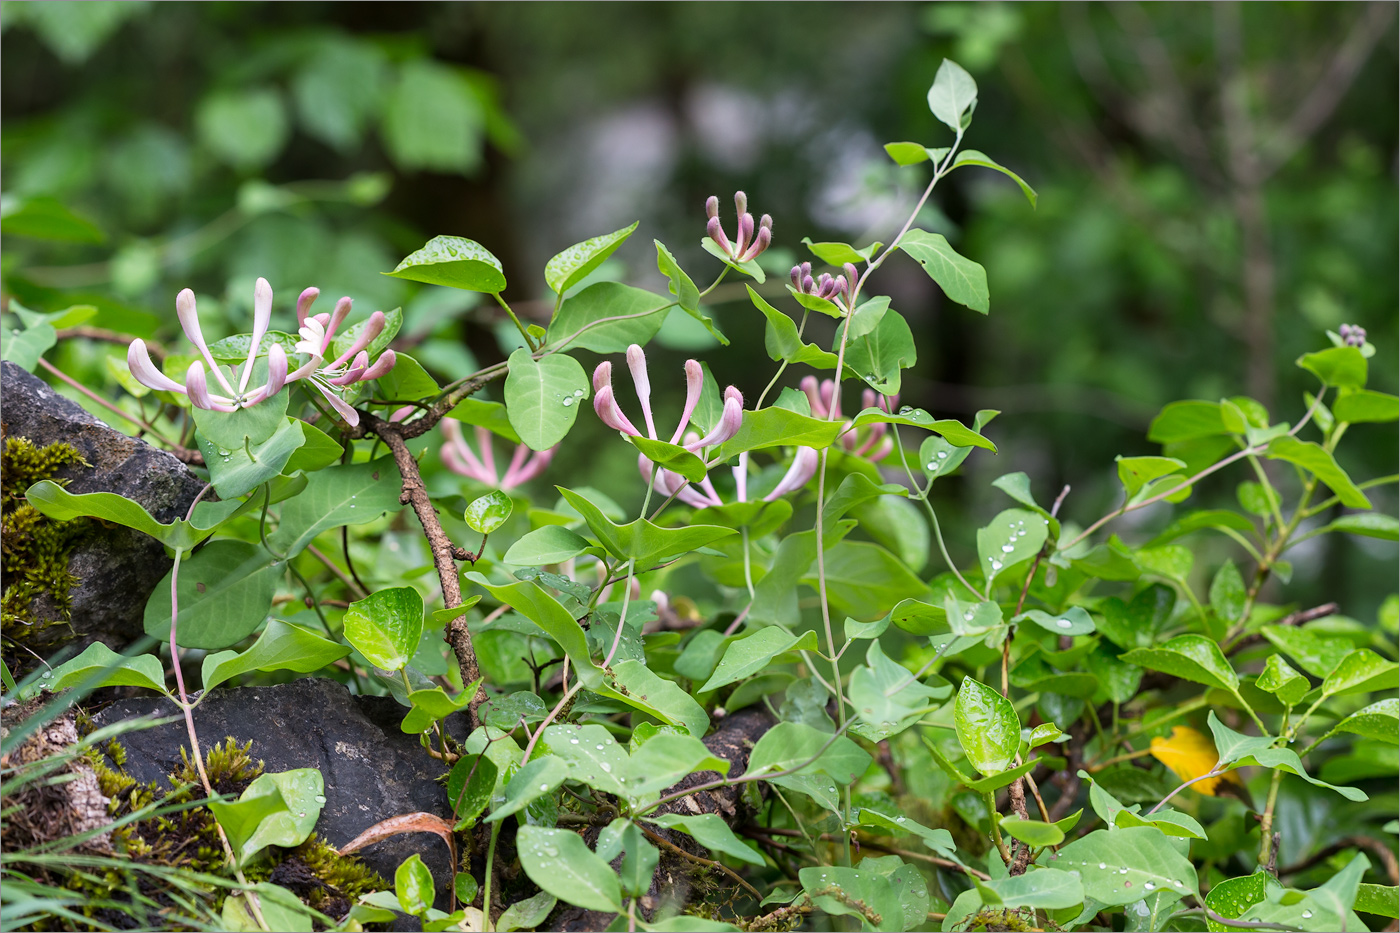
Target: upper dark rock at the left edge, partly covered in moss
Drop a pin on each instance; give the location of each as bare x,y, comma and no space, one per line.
117,568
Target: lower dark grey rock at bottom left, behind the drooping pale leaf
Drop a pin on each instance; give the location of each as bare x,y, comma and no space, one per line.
370,767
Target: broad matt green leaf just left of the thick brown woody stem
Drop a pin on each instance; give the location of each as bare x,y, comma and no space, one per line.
345,495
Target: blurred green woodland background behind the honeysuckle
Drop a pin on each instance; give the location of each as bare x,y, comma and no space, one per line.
1217,188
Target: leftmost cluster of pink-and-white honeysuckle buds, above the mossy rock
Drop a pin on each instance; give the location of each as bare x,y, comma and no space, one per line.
317,334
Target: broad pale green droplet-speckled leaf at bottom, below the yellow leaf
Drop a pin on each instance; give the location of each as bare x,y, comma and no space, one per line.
1118,866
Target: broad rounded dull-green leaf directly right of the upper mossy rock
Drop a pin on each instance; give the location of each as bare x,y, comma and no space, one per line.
226,590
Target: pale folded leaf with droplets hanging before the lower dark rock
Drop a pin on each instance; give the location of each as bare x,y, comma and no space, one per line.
275,810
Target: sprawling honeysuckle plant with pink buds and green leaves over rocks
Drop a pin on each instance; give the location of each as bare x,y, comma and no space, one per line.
1065,722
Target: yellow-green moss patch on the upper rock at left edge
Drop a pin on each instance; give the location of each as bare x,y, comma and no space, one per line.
34,551
